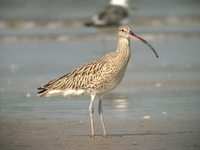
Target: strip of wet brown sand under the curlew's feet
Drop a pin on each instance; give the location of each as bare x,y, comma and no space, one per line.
177,133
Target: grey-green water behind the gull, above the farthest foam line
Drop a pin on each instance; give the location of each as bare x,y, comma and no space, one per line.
68,9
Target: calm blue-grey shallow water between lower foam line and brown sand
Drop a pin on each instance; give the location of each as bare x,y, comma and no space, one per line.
164,87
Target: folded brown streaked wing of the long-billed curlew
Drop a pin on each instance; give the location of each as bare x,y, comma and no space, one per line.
81,78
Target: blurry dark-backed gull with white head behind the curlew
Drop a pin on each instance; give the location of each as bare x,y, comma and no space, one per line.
116,13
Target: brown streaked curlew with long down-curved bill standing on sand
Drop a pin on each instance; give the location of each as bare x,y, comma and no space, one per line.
96,77
